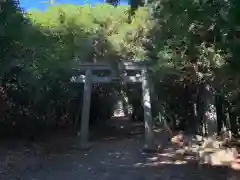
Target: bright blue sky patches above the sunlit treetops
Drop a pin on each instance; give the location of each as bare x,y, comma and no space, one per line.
40,5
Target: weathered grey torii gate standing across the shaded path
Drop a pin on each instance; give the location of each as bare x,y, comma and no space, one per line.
87,75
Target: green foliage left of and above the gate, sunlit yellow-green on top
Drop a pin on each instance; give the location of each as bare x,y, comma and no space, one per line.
41,48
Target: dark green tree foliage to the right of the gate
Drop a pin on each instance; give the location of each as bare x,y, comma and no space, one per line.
195,43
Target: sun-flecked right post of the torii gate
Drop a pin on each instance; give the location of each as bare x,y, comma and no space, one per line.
149,140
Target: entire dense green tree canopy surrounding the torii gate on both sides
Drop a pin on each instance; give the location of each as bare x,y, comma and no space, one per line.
191,44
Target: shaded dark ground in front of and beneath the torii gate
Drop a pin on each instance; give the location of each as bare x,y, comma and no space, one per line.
108,159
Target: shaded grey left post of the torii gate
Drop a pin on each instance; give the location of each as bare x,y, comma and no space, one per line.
84,133
